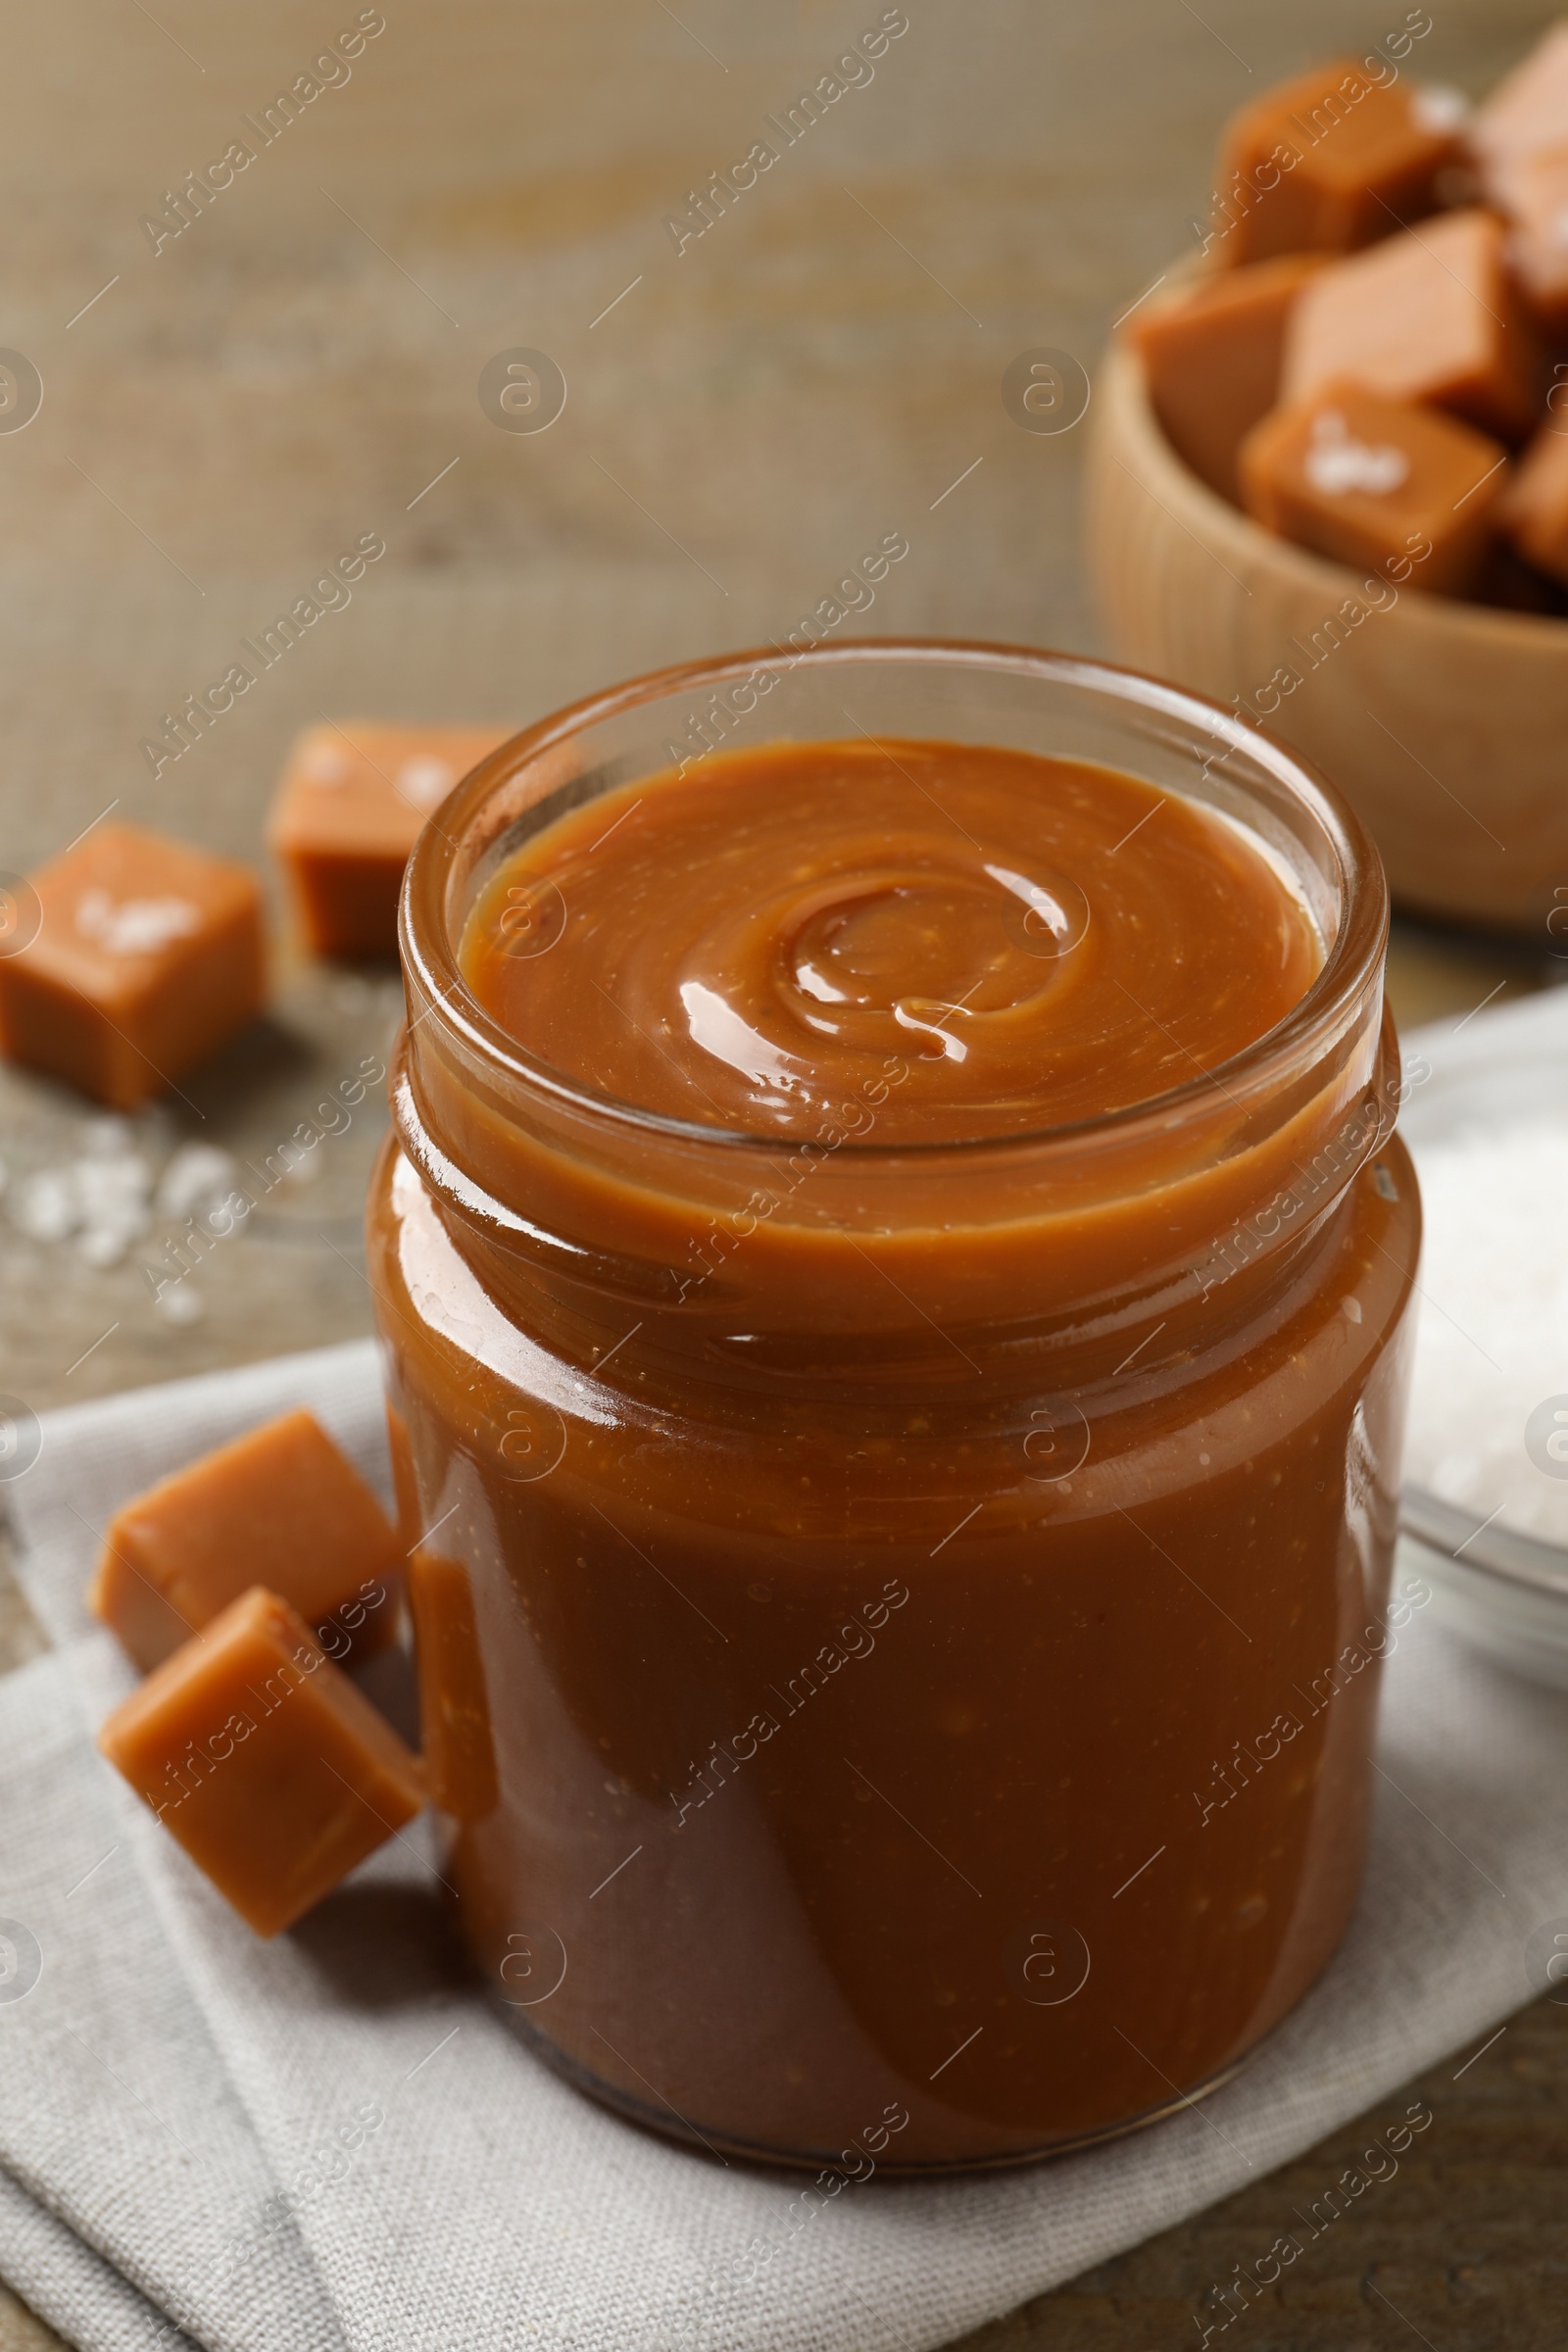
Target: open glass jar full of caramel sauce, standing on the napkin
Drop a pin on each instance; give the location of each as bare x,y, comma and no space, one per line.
899,1624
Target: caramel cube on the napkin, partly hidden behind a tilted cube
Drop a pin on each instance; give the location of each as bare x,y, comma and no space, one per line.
281,1509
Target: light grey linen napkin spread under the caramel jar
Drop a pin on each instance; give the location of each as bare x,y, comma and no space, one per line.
333,2141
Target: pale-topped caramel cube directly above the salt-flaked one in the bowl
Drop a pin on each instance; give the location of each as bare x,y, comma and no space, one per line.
1426,316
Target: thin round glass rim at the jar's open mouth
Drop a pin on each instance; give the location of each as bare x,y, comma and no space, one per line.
1355,954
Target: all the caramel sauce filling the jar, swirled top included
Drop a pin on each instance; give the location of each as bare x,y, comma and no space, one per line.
913,1417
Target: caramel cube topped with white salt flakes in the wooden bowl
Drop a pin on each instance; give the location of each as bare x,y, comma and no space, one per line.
1372,481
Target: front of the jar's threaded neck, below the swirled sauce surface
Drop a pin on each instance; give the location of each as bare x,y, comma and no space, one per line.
1028,1267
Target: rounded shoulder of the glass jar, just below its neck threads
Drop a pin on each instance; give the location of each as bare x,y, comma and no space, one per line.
1242,1372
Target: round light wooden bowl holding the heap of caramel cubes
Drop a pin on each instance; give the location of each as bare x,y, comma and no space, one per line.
1445,723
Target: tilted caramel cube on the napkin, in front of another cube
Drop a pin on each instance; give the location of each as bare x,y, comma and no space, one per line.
264,1763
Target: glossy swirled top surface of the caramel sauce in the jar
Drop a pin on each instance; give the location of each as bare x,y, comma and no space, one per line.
751,944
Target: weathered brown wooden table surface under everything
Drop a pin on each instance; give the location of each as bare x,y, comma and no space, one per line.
300,366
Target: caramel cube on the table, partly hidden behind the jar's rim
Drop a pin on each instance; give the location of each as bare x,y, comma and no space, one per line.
349,810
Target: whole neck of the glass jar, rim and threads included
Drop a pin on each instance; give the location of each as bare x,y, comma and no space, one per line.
831,1245
